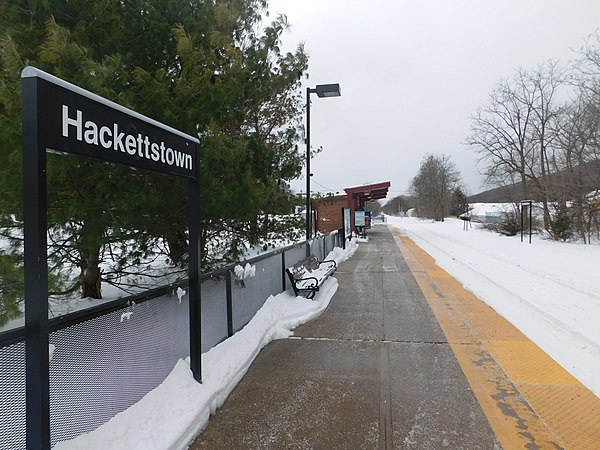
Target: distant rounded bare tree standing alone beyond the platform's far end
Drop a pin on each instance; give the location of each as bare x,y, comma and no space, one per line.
433,186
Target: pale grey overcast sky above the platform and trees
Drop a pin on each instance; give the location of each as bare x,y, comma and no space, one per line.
413,72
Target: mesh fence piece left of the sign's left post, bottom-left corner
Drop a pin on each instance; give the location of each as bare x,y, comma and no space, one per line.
12,397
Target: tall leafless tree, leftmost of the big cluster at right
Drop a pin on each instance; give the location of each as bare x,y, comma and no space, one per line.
512,133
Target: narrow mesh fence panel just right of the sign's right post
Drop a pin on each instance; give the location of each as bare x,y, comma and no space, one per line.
214,312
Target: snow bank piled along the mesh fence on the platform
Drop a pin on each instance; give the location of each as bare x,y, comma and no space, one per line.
170,416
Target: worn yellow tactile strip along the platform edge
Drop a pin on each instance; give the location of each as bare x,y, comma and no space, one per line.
529,400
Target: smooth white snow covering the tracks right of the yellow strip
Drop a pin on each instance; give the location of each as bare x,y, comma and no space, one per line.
549,290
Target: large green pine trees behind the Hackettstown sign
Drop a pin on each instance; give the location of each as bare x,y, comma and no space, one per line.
212,69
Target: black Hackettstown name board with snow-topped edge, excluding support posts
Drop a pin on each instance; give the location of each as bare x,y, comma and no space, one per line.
73,120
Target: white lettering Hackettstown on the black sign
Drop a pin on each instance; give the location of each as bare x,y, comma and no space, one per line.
110,137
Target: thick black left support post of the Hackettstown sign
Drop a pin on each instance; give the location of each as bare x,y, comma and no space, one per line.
37,360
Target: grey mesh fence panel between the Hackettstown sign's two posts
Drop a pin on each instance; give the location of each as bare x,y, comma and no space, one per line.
104,365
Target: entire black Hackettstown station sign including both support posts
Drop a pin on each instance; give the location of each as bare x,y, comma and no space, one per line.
61,117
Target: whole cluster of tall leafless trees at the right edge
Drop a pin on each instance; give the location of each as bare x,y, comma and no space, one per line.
540,129
